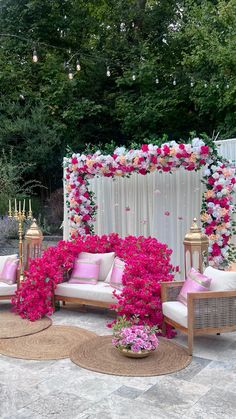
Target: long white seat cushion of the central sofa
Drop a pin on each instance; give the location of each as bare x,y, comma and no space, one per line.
99,292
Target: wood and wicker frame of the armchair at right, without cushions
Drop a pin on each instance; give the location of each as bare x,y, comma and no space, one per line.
207,312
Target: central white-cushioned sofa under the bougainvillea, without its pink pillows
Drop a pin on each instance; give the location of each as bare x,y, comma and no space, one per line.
99,295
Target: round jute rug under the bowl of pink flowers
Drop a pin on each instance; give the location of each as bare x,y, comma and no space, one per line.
99,355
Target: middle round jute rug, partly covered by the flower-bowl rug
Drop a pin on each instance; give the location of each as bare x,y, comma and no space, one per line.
53,343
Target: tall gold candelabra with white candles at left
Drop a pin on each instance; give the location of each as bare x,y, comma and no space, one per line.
20,215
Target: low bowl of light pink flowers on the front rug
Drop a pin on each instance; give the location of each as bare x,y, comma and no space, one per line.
134,340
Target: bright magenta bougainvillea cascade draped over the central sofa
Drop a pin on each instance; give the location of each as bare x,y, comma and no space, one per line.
147,263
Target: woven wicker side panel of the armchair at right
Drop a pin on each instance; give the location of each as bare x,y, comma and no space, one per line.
212,309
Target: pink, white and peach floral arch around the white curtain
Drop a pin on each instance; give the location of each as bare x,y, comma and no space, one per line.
219,179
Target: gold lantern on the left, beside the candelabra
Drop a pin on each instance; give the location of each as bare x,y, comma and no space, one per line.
33,243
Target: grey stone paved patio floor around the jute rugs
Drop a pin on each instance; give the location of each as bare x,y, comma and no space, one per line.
60,389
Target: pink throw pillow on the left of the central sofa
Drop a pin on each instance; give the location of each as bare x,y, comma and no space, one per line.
85,272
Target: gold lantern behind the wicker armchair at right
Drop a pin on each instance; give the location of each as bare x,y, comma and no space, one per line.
195,249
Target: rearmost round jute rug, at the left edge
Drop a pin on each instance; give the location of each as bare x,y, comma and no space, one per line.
12,325
